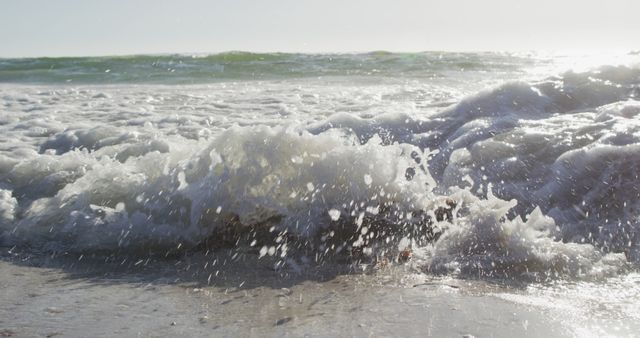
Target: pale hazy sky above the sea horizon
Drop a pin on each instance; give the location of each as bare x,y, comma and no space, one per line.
87,27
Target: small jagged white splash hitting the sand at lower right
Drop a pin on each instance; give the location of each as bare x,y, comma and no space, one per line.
484,242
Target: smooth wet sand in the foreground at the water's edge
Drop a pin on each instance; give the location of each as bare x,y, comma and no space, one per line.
47,297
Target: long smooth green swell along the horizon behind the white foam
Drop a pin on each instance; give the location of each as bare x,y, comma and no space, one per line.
185,69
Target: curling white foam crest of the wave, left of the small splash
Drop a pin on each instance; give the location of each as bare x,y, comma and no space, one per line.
86,201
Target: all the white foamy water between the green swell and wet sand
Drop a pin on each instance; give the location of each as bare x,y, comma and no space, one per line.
544,172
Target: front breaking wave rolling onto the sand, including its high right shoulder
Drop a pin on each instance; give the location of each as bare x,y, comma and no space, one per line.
543,177
